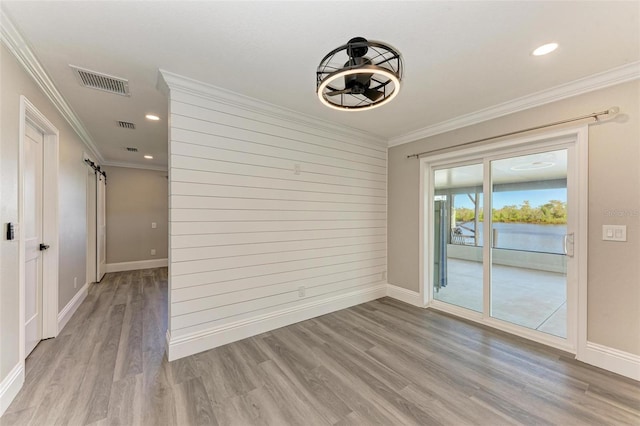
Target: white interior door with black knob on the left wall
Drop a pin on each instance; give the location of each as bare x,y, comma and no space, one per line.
32,196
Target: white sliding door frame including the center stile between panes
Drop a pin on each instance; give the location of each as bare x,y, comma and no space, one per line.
575,139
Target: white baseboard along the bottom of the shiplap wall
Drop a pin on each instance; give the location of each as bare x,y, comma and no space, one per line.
179,347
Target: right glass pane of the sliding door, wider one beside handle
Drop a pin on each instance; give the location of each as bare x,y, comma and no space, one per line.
529,224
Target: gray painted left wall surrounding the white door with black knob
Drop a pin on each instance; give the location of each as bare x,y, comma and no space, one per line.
14,82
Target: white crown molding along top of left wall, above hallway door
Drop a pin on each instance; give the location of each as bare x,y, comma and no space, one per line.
17,45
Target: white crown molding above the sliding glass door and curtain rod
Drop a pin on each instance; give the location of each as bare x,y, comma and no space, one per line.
593,82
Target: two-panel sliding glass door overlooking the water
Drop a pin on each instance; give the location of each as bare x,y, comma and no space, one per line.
500,238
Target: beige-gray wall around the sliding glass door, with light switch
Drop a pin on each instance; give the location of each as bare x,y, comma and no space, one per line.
614,184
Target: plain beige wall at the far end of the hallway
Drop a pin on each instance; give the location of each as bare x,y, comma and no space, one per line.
135,198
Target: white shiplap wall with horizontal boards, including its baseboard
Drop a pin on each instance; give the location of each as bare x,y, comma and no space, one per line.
274,218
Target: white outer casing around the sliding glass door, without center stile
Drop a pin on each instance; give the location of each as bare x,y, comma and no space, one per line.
577,295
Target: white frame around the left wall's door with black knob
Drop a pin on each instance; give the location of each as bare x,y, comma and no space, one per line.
50,170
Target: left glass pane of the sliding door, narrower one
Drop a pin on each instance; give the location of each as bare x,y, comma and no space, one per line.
457,245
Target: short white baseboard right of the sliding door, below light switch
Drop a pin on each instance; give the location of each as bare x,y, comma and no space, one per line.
617,361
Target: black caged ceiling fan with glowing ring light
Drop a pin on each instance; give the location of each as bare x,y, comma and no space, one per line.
359,75
